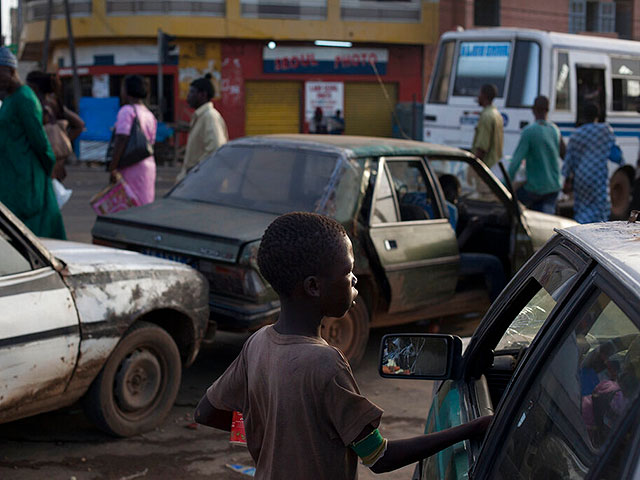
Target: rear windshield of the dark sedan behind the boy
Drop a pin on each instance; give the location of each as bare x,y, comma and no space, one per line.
270,179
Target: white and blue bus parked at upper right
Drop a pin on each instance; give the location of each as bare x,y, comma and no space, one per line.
571,70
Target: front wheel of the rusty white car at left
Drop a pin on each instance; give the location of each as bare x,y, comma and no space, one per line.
138,385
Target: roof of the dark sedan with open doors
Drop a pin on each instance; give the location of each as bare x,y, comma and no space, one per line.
354,146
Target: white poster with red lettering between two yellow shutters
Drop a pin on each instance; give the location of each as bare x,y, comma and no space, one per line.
328,97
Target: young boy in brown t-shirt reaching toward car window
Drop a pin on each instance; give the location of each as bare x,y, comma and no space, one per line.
303,412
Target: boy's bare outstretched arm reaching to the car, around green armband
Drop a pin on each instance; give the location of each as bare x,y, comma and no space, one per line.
400,453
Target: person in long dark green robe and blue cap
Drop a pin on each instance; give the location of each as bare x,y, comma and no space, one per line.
26,157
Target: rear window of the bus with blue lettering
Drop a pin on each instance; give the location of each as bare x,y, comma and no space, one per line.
480,63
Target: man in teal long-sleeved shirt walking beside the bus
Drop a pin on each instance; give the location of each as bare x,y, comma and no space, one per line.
542,146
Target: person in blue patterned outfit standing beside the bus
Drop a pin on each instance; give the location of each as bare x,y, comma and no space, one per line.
585,167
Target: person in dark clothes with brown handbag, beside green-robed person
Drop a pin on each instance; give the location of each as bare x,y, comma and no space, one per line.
47,88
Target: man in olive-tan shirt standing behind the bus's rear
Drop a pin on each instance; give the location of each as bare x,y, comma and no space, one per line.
487,139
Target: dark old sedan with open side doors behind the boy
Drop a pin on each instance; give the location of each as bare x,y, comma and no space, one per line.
384,191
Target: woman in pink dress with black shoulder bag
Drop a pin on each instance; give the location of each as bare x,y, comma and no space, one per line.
140,176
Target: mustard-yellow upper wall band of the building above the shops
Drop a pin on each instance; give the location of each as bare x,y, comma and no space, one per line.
100,25
